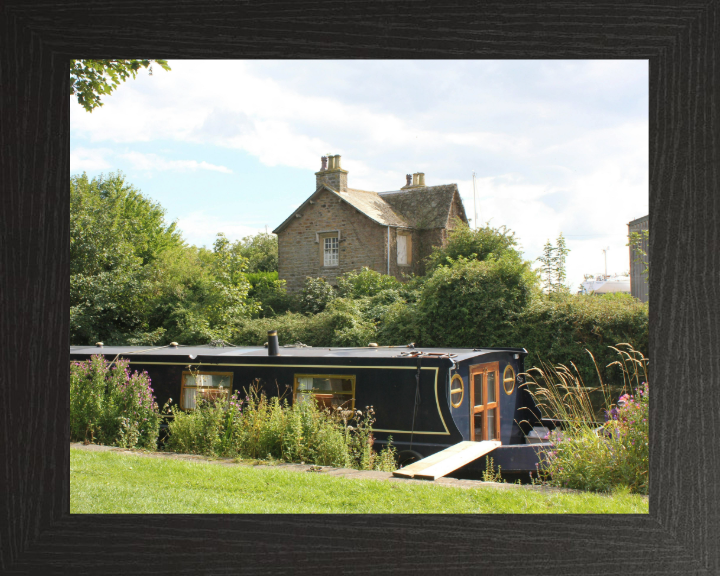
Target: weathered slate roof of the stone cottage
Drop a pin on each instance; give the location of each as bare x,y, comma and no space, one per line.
419,208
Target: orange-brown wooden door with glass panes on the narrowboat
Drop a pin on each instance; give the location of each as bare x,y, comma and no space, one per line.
485,402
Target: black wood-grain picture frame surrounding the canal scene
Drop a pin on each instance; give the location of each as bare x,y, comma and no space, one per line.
681,40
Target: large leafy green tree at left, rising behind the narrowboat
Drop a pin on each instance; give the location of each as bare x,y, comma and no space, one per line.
116,237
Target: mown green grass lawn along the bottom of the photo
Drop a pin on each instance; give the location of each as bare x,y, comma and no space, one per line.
112,483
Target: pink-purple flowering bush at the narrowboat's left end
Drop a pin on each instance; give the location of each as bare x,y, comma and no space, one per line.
110,406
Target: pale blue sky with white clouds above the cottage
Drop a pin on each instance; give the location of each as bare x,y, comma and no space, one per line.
557,146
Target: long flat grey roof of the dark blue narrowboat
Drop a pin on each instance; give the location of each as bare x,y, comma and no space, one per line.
460,354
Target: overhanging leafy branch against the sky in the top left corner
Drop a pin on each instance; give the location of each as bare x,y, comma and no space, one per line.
91,79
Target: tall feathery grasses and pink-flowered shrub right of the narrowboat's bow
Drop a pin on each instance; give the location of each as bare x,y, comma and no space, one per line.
584,456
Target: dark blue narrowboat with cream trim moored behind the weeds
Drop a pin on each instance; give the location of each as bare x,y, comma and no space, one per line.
425,400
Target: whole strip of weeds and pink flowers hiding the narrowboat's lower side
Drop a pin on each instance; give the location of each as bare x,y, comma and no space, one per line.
111,406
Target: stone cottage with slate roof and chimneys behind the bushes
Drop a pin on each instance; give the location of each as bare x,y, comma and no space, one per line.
339,229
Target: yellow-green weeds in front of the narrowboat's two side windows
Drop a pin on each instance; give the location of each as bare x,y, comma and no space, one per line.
258,427
